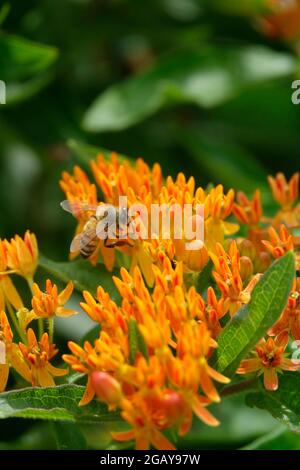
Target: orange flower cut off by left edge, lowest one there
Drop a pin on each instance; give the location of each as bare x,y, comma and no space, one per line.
11,352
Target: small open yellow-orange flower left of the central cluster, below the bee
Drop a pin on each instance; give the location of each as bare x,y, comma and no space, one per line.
50,303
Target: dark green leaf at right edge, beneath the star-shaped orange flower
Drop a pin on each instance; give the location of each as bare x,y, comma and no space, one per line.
284,404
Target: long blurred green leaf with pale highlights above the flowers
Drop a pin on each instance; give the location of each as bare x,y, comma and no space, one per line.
206,77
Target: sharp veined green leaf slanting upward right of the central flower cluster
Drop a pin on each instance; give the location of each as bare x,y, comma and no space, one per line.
252,321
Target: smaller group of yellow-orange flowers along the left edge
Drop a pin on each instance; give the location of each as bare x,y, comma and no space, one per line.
30,357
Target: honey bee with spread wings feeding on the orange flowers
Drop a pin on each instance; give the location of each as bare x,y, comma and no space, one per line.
87,241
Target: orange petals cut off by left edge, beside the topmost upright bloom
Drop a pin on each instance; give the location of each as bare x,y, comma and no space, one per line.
8,292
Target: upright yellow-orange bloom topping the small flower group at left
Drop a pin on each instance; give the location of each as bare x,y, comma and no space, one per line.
22,255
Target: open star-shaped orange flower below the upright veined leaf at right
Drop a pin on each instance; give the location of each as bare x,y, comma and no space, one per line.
269,360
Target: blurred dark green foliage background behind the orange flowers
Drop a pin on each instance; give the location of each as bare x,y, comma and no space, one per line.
193,84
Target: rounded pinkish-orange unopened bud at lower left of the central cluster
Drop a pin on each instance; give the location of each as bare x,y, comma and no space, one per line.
106,387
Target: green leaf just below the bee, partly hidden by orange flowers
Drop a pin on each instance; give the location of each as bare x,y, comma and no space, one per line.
82,273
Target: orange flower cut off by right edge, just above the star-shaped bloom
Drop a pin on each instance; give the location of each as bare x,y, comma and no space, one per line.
290,318
